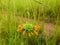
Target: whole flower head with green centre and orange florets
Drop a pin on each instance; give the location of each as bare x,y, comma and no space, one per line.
28,28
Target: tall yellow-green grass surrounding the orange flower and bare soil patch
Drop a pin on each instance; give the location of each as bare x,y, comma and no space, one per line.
14,12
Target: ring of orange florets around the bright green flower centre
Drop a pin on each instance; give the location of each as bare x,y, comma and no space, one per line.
20,28
